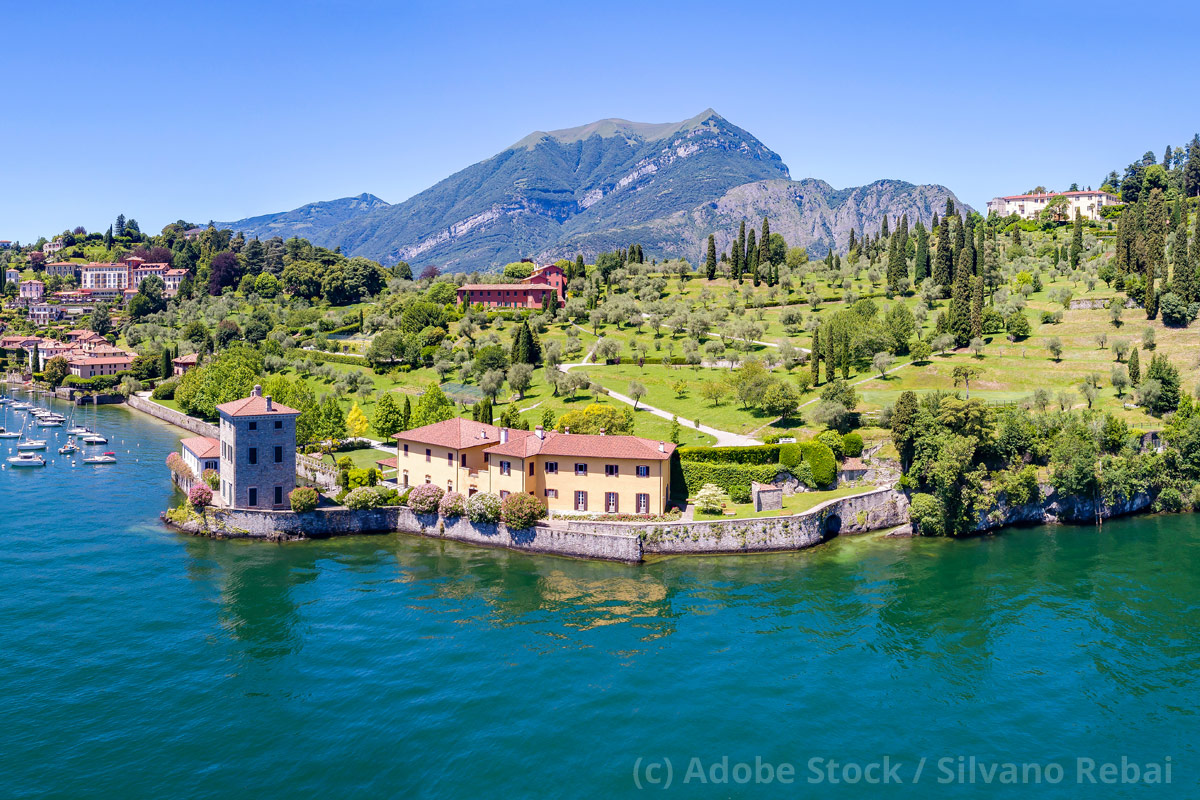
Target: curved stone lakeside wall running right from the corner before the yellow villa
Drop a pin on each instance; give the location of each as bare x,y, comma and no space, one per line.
856,514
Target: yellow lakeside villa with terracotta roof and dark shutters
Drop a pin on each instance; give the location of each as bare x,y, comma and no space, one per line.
571,472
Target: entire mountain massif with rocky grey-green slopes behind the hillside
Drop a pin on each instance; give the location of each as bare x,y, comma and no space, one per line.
601,187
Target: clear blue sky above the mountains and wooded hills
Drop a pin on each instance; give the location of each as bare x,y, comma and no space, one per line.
219,111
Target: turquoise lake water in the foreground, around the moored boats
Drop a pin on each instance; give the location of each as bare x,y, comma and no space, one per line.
142,664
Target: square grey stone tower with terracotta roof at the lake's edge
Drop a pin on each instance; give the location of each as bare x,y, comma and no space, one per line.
257,453
